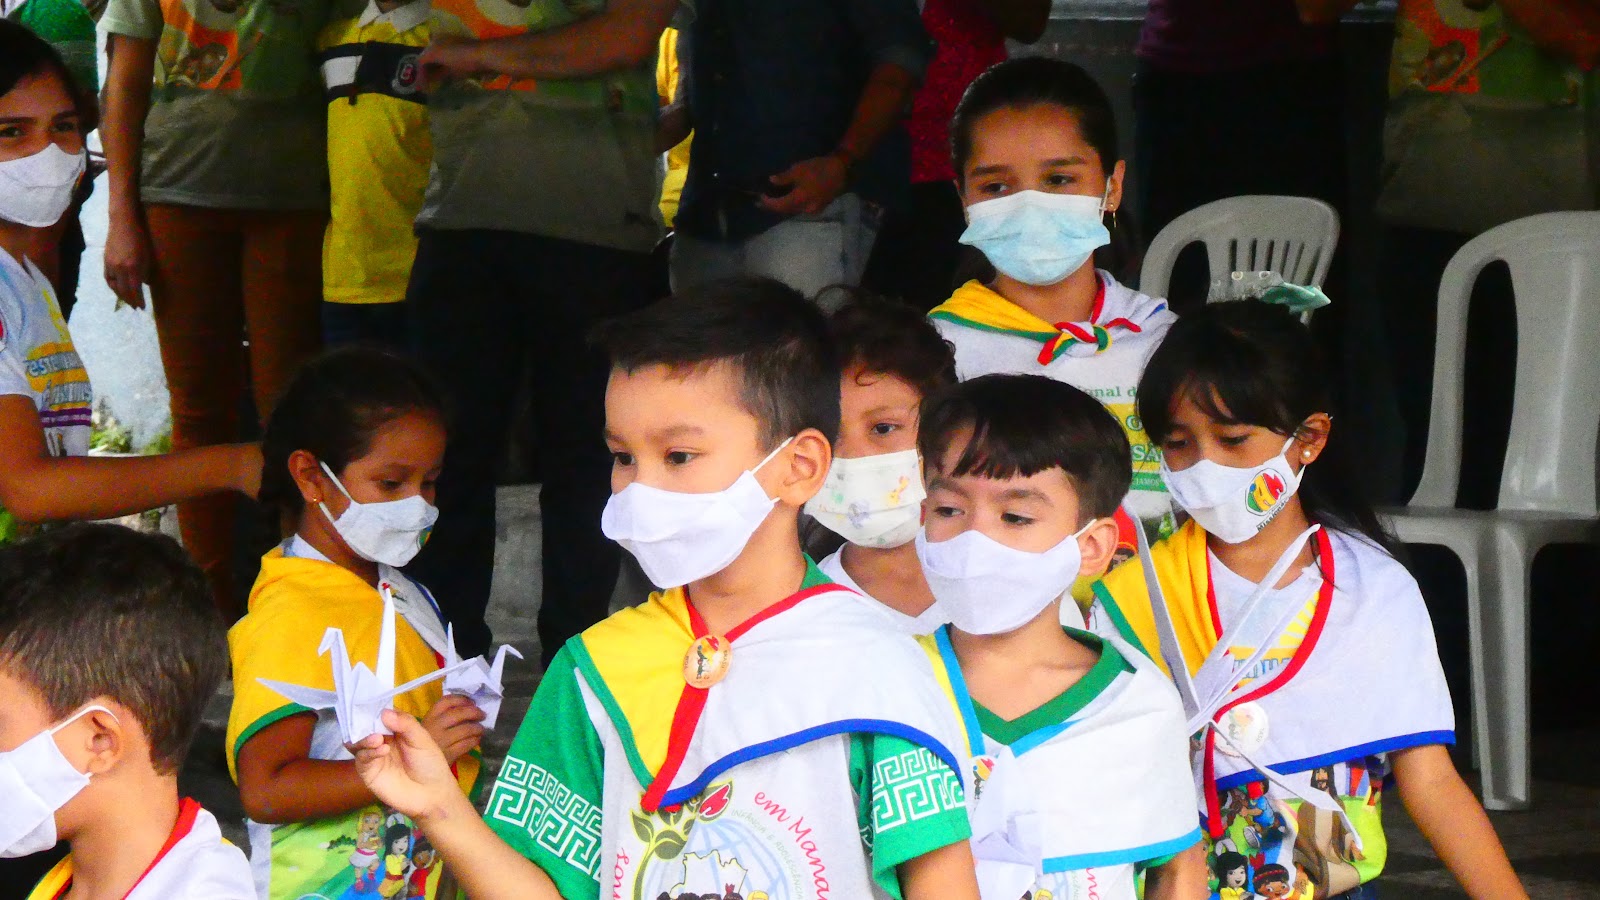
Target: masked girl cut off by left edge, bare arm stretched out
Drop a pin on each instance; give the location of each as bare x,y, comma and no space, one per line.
46,398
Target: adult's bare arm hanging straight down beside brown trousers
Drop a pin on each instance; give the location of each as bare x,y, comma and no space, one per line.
122,135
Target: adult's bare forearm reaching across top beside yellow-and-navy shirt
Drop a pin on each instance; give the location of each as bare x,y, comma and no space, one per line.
620,38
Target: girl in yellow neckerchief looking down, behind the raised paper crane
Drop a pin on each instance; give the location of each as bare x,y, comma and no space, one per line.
353,452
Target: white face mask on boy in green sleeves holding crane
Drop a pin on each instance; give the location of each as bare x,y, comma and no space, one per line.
686,537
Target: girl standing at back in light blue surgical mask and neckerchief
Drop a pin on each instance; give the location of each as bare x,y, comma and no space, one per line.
1036,158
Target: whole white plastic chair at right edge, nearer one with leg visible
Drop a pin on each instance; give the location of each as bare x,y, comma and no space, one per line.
1548,491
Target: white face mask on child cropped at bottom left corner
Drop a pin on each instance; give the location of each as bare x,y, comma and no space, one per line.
36,781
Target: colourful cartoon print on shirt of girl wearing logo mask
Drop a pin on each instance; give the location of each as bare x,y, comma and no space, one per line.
1295,851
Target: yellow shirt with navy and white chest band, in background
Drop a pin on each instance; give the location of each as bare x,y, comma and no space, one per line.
378,151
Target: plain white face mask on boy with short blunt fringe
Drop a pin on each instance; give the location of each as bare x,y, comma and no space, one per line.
990,589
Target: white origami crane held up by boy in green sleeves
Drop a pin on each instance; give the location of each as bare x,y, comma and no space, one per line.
359,694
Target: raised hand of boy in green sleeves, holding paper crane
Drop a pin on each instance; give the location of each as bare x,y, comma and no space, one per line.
407,771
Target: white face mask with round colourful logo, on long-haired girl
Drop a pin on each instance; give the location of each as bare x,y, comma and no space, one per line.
1234,504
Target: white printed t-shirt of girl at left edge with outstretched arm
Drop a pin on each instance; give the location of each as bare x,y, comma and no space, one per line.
38,360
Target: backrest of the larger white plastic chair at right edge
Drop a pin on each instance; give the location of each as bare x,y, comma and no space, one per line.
1554,263
